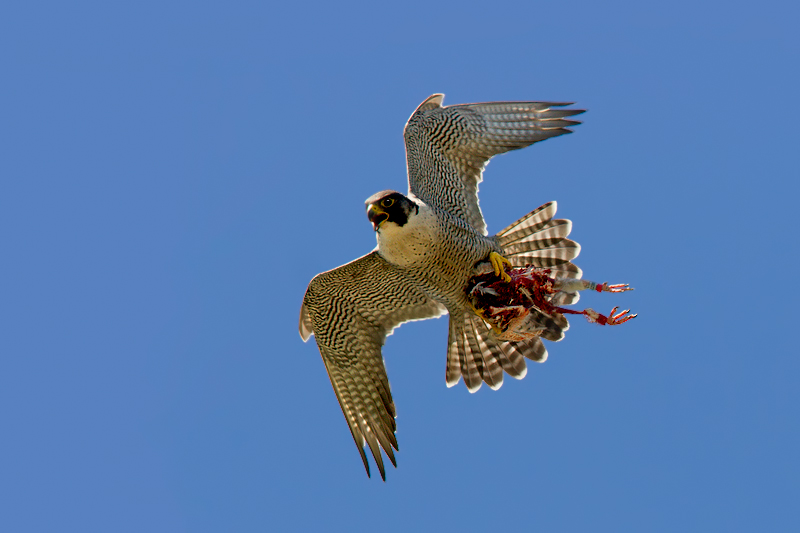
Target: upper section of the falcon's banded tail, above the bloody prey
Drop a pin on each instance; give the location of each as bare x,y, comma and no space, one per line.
539,240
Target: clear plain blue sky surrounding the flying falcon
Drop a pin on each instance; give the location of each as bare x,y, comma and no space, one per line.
172,174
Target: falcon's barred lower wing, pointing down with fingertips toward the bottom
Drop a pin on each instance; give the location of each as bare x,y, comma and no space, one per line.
351,310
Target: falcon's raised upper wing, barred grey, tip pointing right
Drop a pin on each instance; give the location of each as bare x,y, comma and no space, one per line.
448,147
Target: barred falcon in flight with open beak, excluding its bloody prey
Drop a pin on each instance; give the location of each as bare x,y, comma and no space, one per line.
429,242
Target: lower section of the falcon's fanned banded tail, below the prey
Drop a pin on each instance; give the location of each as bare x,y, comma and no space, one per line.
474,354
